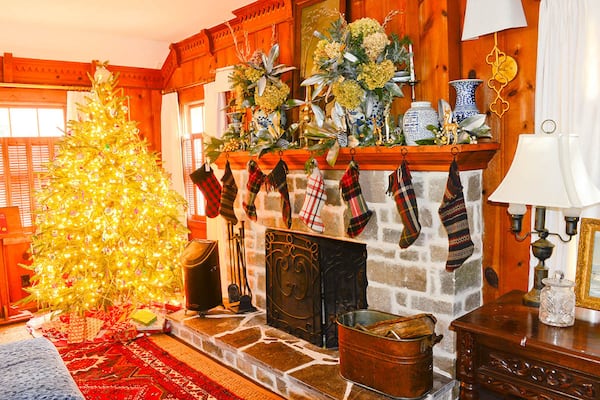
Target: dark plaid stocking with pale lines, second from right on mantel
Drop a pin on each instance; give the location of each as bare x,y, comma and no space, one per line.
400,186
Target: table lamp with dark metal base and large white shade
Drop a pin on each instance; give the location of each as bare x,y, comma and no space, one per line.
547,172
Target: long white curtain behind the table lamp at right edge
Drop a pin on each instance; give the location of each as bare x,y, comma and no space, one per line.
568,92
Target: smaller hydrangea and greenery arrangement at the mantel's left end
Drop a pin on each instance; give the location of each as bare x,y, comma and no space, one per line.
258,105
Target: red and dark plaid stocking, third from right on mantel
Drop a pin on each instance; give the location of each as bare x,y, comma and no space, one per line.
352,194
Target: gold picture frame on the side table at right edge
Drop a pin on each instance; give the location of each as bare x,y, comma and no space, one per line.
587,277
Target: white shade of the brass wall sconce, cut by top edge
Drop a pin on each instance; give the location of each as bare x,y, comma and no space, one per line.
489,16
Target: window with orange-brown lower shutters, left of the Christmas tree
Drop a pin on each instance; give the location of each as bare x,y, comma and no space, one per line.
28,137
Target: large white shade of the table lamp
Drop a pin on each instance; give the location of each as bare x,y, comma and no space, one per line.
548,170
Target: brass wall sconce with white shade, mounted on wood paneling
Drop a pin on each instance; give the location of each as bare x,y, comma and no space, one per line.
483,17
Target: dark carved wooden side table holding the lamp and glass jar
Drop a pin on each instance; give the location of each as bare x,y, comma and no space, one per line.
504,348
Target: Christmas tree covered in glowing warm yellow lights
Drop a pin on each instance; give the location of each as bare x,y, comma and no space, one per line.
107,223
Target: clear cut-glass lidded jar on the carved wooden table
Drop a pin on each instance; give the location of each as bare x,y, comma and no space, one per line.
557,302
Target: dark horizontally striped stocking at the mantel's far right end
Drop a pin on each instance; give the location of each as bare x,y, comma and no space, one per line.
453,214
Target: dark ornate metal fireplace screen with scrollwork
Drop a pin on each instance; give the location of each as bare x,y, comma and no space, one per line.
310,281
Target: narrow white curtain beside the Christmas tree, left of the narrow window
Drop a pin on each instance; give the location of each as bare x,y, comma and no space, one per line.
171,141
